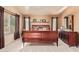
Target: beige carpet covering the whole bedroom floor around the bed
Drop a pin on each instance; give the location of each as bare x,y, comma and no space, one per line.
16,46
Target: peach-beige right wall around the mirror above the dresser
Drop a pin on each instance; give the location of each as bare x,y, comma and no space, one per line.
71,11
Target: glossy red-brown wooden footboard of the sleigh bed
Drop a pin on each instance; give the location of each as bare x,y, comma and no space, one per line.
40,37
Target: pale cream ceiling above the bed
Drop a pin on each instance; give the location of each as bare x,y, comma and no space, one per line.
40,10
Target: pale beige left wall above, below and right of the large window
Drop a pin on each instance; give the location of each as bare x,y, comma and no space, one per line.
10,37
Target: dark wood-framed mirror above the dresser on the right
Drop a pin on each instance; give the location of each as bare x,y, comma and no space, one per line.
69,22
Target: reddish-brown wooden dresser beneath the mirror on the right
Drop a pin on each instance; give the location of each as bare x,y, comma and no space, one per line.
71,38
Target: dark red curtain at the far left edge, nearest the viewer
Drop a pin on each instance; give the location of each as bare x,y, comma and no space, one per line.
1,27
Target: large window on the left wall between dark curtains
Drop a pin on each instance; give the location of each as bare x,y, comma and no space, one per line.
9,23
